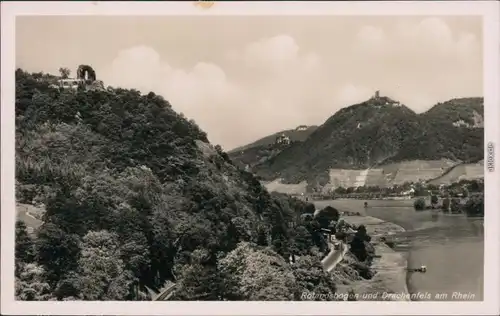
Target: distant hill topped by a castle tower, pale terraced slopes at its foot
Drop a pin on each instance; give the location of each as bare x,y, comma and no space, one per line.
380,132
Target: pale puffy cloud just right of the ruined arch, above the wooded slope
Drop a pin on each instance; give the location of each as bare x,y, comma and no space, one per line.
202,92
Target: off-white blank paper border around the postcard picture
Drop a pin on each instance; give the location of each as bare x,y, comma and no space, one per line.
488,9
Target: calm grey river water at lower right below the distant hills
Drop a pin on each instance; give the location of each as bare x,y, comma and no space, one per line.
451,246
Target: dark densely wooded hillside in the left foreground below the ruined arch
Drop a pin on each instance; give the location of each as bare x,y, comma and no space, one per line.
135,196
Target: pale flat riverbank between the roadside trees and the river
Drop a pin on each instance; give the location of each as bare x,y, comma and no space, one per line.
389,267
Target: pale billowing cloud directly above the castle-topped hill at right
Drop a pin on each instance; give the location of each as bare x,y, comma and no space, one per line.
426,61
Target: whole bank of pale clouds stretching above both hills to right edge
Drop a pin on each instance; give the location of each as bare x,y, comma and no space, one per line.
274,83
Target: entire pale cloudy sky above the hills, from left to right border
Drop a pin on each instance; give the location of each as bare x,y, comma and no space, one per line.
242,78
